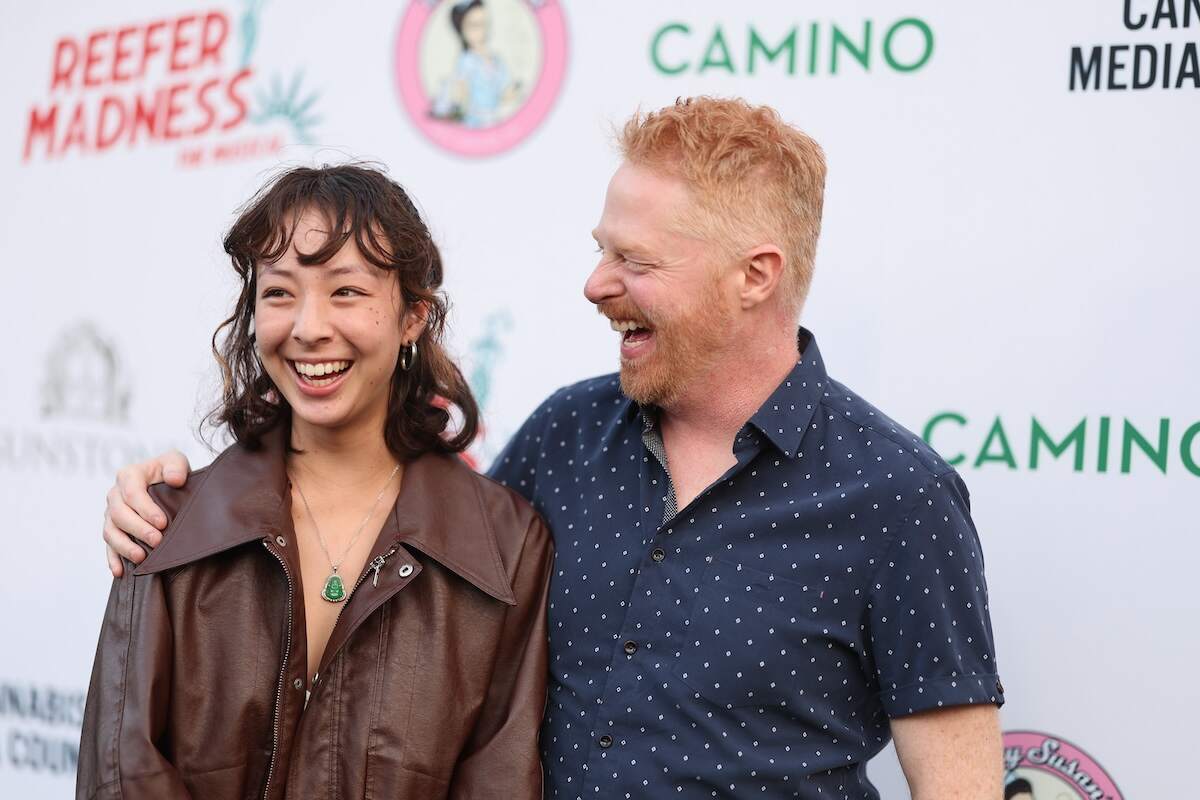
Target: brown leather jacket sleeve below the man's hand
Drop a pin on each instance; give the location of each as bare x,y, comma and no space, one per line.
125,718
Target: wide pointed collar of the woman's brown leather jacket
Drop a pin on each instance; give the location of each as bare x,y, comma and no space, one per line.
244,496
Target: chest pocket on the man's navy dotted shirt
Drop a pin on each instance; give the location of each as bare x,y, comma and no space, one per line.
754,637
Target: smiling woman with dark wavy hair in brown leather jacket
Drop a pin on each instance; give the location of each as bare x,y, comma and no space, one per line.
340,606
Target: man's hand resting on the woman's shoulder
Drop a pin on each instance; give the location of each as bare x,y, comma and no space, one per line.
131,515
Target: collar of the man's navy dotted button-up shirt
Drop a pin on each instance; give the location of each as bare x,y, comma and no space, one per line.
790,410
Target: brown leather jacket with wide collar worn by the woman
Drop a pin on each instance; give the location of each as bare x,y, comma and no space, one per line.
433,684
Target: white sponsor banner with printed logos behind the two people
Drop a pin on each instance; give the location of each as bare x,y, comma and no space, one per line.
1009,266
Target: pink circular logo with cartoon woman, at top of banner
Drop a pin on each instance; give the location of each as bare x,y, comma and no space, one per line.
479,76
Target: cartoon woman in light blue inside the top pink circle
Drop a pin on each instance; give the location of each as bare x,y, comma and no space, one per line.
482,85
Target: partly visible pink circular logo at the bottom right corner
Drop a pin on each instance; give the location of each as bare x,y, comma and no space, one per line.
1043,767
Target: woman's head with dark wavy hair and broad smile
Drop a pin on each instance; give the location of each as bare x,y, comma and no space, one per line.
374,257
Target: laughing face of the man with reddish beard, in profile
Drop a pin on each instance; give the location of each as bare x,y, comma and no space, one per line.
663,290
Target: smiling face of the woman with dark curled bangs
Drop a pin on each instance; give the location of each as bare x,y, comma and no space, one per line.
329,335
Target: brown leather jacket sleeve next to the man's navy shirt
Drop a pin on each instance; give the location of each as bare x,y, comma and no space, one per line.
502,759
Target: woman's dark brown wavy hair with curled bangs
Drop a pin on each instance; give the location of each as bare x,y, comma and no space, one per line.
368,207
